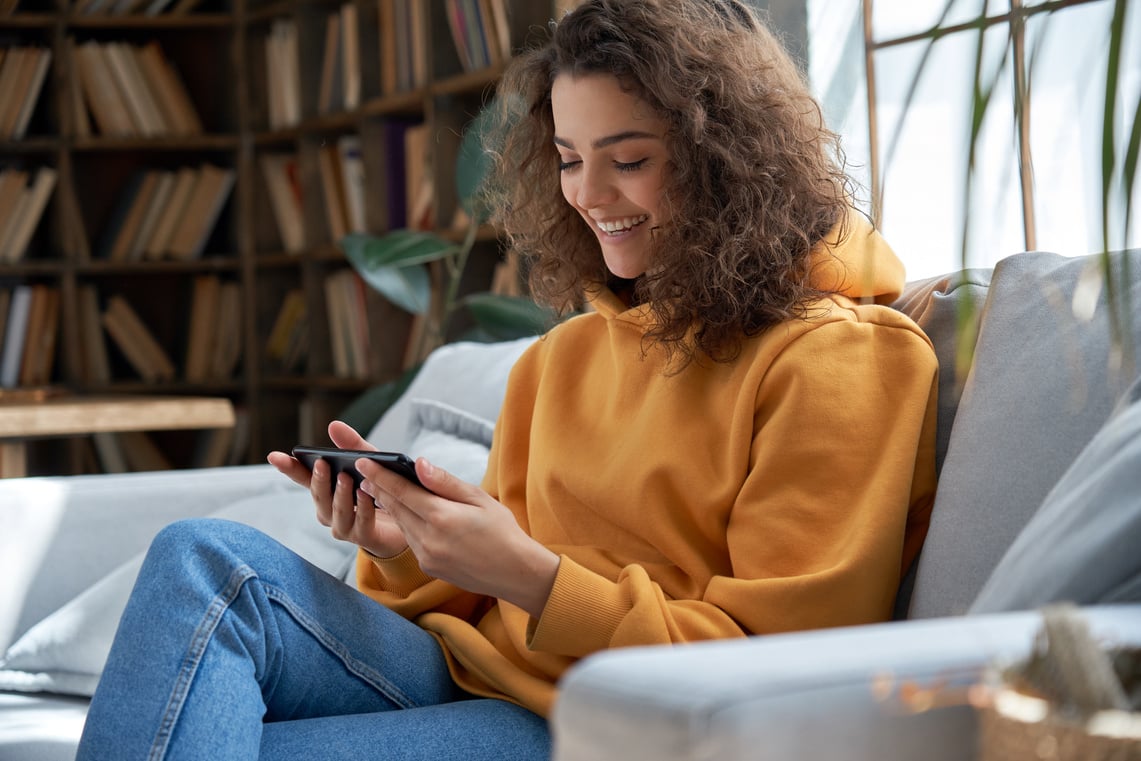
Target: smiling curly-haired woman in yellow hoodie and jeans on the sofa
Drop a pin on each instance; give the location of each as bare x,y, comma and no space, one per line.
735,441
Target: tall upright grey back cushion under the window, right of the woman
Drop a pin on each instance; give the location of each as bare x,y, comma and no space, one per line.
1041,386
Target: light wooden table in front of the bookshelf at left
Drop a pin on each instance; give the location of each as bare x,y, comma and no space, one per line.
82,416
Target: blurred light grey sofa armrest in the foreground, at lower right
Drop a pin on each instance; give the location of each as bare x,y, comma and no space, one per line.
803,697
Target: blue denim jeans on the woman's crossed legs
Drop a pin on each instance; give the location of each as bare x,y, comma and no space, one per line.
234,647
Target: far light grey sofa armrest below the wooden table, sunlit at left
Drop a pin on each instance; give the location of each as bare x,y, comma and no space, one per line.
59,535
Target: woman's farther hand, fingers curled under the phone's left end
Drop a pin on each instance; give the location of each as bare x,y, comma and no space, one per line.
351,517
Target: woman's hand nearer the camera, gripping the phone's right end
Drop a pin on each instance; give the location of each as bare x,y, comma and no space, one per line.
464,537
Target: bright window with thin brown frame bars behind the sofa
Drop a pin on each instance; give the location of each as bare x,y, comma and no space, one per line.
1034,187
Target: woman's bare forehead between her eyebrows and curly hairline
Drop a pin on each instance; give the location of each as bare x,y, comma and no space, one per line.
596,106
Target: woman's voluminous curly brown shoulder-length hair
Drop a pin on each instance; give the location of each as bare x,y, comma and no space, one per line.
755,172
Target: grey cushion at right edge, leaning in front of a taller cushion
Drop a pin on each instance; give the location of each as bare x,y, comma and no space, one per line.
1082,546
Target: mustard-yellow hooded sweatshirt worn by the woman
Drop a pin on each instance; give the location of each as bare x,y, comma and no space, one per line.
783,491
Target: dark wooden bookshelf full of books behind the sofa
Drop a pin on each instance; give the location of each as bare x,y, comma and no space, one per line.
147,110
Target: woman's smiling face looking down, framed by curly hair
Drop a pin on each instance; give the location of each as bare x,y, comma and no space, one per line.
613,161
